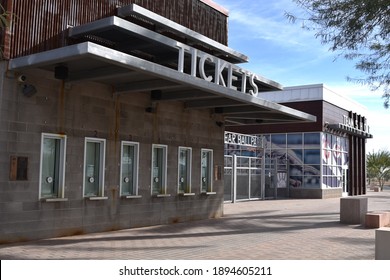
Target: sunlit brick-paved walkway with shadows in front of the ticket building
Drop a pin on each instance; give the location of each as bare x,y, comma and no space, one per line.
278,229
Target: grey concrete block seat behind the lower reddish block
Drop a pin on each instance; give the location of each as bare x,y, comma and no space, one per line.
353,209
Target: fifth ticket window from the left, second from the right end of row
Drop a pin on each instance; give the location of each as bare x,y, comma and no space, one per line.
184,168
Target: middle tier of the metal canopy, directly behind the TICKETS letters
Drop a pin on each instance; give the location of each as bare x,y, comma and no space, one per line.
130,38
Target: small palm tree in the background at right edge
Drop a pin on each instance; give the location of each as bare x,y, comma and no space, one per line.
378,166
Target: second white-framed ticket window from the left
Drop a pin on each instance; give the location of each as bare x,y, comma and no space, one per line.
94,165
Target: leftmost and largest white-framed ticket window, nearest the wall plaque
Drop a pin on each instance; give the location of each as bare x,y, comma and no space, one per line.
52,166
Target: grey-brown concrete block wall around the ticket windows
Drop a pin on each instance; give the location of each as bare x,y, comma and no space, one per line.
88,109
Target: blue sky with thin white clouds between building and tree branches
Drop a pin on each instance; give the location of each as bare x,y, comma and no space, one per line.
290,55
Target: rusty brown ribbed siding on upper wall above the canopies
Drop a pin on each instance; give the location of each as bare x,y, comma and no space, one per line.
40,25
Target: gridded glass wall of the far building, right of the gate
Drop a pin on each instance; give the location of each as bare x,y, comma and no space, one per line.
306,155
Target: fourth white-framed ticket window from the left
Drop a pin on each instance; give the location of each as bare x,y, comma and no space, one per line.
159,169
